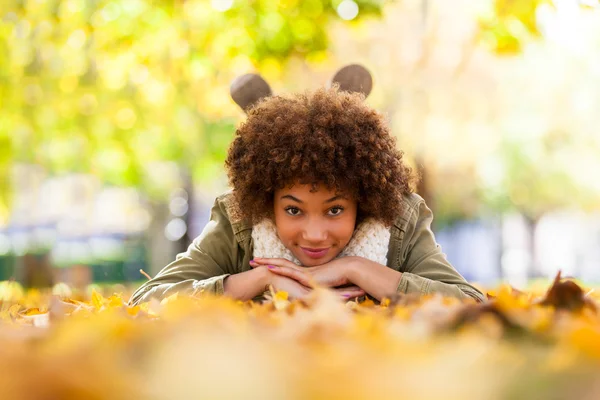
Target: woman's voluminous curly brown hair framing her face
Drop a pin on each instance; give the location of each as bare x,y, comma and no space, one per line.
324,137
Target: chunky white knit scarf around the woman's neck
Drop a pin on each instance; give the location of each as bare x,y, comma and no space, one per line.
369,240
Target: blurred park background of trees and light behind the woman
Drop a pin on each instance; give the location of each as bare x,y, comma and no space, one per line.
115,118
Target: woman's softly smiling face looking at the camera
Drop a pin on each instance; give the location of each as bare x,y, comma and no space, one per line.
314,226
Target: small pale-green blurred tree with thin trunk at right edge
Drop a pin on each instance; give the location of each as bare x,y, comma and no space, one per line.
534,178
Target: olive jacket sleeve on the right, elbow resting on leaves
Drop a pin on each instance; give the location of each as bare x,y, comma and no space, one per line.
425,268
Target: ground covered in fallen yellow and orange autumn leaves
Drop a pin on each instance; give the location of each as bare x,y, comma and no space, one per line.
518,345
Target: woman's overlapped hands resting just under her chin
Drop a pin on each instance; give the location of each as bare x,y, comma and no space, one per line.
332,275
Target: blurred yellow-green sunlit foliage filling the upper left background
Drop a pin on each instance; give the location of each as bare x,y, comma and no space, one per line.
111,87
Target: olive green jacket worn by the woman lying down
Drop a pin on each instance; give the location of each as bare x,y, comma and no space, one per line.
225,247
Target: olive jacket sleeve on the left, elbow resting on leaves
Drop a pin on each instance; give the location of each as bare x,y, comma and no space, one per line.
209,259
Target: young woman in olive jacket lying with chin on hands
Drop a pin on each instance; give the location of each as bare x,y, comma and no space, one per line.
321,196
